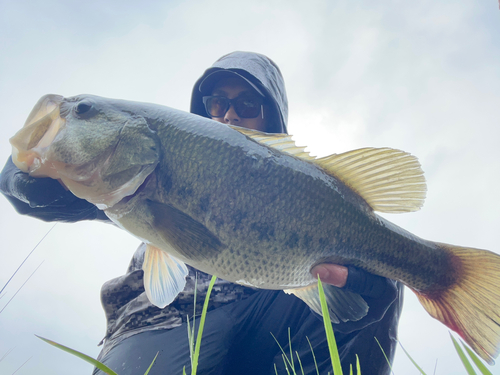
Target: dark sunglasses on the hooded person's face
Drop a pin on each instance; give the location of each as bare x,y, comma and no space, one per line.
244,106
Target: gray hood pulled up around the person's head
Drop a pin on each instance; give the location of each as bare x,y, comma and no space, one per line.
262,73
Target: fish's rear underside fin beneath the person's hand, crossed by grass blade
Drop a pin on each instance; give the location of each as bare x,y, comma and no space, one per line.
343,305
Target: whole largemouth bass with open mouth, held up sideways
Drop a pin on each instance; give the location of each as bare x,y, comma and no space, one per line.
255,209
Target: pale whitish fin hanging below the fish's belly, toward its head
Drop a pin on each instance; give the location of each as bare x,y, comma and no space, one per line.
164,276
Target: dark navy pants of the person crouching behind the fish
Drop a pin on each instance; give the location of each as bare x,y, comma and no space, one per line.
237,340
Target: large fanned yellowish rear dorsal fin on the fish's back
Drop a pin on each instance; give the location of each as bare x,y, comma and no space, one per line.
388,180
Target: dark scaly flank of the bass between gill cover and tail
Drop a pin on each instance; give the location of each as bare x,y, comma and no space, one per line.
245,201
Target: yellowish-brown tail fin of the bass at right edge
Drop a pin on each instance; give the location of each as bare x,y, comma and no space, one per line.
471,306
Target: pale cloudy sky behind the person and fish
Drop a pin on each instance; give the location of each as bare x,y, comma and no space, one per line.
421,76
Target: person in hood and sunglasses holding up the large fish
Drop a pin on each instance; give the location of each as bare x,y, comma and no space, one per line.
244,325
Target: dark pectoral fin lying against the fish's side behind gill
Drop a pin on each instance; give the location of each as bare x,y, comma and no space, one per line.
188,237
